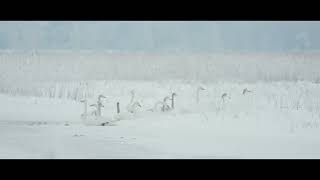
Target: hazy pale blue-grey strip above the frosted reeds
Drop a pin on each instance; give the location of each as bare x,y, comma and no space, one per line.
157,35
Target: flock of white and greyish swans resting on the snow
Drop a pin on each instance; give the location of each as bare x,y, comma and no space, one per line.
95,117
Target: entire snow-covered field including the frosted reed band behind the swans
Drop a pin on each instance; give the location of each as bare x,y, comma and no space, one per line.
40,108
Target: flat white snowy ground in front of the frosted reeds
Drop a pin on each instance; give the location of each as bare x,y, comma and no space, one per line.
276,120
